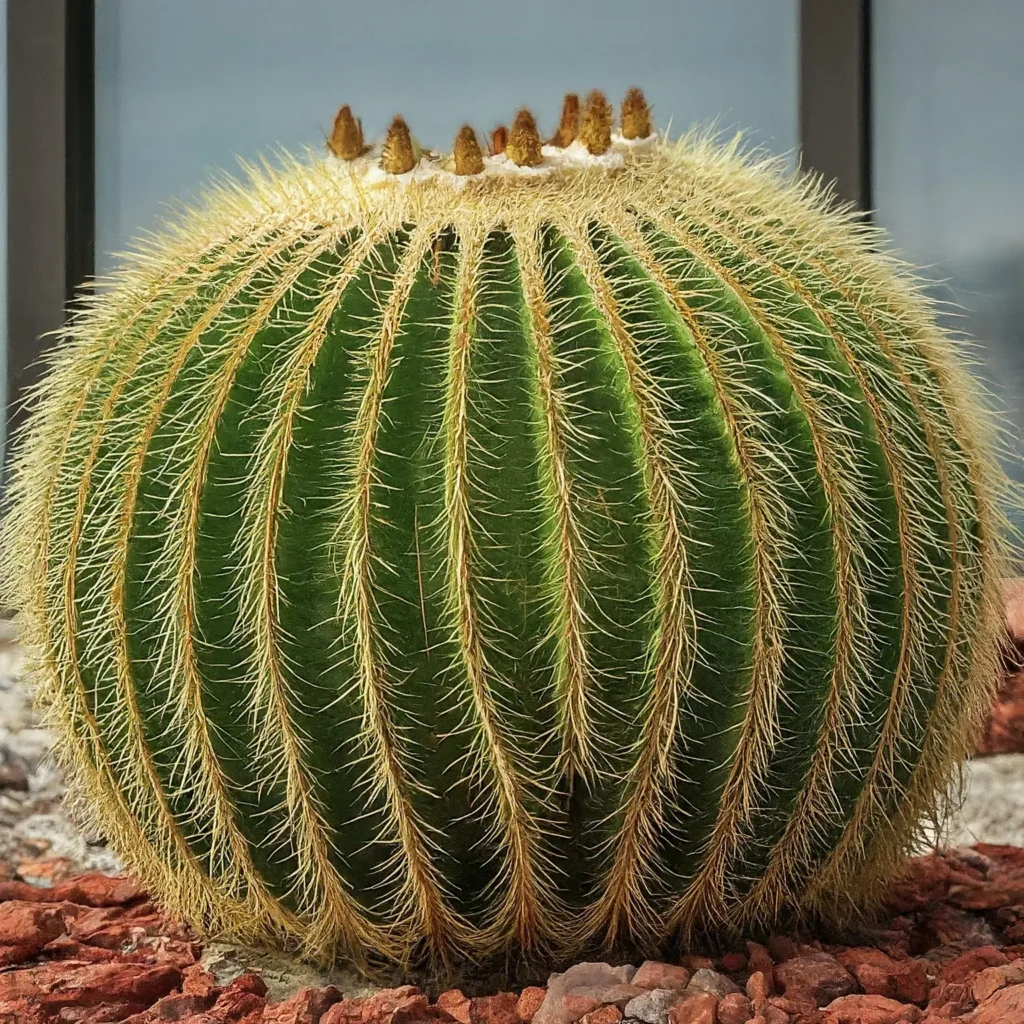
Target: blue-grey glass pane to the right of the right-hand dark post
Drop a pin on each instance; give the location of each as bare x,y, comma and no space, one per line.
950,167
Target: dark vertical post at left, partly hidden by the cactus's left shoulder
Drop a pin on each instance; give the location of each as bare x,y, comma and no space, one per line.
51,175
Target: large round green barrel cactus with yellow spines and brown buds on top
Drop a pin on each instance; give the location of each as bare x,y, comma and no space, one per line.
545,548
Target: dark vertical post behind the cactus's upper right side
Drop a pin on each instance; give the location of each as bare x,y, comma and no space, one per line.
835,95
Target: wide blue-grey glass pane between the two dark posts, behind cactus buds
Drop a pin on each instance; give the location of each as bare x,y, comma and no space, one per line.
186,88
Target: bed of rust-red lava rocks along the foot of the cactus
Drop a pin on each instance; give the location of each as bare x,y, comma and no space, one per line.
954,943
